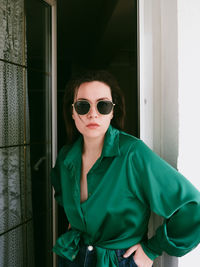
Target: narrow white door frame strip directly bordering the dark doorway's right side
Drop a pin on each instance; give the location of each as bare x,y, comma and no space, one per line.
146,71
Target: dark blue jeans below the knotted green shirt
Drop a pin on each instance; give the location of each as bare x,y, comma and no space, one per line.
86,258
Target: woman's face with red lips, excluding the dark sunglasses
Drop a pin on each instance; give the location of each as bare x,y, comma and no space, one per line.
93,124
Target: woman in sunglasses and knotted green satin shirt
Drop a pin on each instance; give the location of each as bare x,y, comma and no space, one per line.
108,183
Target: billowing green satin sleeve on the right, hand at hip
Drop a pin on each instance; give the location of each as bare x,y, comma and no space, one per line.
170,195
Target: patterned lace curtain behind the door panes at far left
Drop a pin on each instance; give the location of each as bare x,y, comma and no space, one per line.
16,242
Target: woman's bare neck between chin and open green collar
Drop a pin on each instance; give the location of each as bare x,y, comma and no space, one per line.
93,146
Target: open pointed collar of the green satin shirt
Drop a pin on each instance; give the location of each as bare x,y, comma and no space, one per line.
110,147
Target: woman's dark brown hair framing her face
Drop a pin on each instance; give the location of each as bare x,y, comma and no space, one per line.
72,88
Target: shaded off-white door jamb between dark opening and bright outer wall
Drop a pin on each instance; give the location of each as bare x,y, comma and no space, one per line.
159,86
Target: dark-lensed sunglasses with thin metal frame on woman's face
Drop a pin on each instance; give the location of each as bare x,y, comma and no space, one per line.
104,107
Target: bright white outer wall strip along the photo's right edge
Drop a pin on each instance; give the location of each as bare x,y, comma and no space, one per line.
189,100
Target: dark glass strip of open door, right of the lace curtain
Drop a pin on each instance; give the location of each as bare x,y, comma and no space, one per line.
38,37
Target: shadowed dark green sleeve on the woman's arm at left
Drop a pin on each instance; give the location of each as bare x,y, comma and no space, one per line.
56,176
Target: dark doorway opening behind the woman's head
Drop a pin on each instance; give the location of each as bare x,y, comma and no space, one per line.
98,34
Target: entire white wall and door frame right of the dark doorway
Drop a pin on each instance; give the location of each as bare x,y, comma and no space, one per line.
169,42
